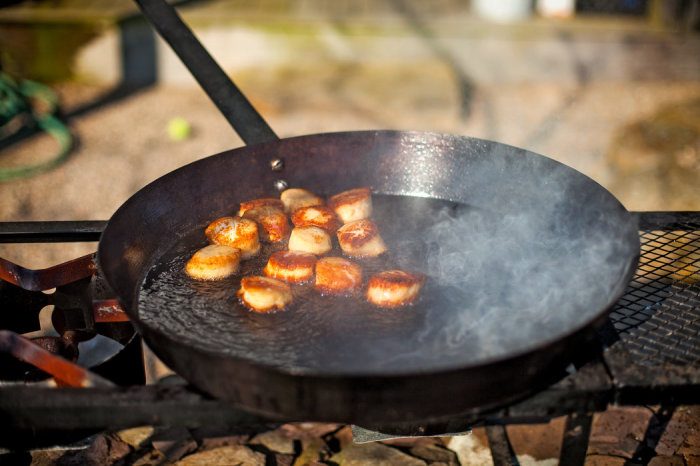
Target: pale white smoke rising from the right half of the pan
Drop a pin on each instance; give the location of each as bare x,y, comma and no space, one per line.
516,279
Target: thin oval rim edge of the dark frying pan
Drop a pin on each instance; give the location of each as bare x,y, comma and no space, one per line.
327,374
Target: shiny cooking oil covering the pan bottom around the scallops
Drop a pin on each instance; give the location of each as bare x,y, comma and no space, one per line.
495,284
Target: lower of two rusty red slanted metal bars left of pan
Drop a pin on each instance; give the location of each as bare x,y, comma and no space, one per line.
62,370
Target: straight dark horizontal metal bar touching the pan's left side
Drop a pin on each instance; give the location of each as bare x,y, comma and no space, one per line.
51,232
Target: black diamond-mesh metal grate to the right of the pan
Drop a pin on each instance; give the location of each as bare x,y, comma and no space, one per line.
658,318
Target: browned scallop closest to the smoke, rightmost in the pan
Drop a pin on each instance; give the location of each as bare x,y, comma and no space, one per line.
394,288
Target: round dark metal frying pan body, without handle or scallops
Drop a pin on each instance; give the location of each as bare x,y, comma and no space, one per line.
523,256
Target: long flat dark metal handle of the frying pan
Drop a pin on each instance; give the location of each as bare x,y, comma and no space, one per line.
231,102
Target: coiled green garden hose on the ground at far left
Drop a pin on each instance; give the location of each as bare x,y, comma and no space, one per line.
34,104
